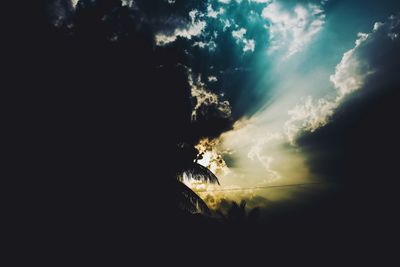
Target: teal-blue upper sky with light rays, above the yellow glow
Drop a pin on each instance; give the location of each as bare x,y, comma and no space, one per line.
254,78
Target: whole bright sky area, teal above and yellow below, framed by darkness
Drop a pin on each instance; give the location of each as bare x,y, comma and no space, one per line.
290,66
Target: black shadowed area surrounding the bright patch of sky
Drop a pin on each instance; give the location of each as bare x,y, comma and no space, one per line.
99,129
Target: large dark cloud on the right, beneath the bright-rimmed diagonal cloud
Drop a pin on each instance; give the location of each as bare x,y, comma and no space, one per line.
357,150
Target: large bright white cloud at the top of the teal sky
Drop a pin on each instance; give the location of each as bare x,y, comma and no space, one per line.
291,30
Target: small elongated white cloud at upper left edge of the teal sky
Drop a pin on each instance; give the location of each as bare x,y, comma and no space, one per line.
194,28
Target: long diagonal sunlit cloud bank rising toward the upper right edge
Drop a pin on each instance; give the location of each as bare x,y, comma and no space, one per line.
352,73
